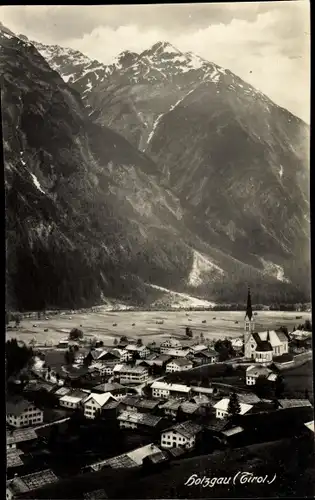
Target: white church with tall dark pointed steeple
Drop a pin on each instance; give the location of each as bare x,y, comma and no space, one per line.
262,347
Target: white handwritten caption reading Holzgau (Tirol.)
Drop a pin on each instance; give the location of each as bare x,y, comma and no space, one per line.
239,478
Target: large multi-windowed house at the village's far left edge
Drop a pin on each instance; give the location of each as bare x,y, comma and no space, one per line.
22,413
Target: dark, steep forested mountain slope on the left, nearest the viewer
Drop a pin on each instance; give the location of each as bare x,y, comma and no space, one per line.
84,213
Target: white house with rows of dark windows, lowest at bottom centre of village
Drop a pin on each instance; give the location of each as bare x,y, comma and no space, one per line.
184,434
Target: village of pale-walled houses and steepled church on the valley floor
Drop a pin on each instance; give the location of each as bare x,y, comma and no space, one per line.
79,411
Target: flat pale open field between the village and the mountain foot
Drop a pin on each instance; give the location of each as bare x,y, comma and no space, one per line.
100,324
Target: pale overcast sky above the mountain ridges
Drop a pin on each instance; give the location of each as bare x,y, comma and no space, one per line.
265,43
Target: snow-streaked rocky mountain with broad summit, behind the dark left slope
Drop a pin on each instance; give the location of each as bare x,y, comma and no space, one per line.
238,163
